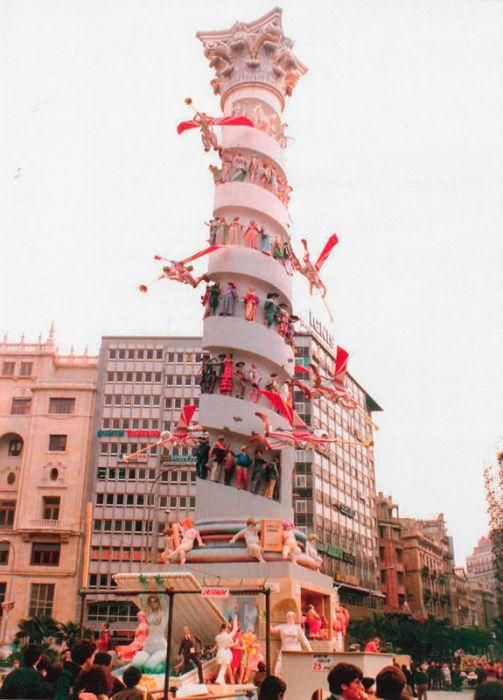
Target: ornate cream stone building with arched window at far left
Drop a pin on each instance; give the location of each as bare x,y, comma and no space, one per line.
46,410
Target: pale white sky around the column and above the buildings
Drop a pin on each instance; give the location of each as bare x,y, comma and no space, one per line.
398,148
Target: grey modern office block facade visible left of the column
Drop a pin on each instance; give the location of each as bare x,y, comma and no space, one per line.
143,384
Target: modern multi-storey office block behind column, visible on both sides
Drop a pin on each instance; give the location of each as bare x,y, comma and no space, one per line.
143,384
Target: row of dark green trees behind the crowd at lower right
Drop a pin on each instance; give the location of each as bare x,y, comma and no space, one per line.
421,639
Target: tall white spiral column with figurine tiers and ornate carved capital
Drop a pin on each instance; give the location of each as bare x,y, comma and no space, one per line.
255,70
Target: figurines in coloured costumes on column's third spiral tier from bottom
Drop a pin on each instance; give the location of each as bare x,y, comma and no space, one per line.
222,302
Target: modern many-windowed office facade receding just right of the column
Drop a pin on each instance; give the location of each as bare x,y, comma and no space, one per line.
335,488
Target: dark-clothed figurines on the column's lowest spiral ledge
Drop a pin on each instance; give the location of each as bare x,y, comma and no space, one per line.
218,461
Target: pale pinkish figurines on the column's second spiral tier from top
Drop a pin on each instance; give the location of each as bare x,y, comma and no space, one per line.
240,167
